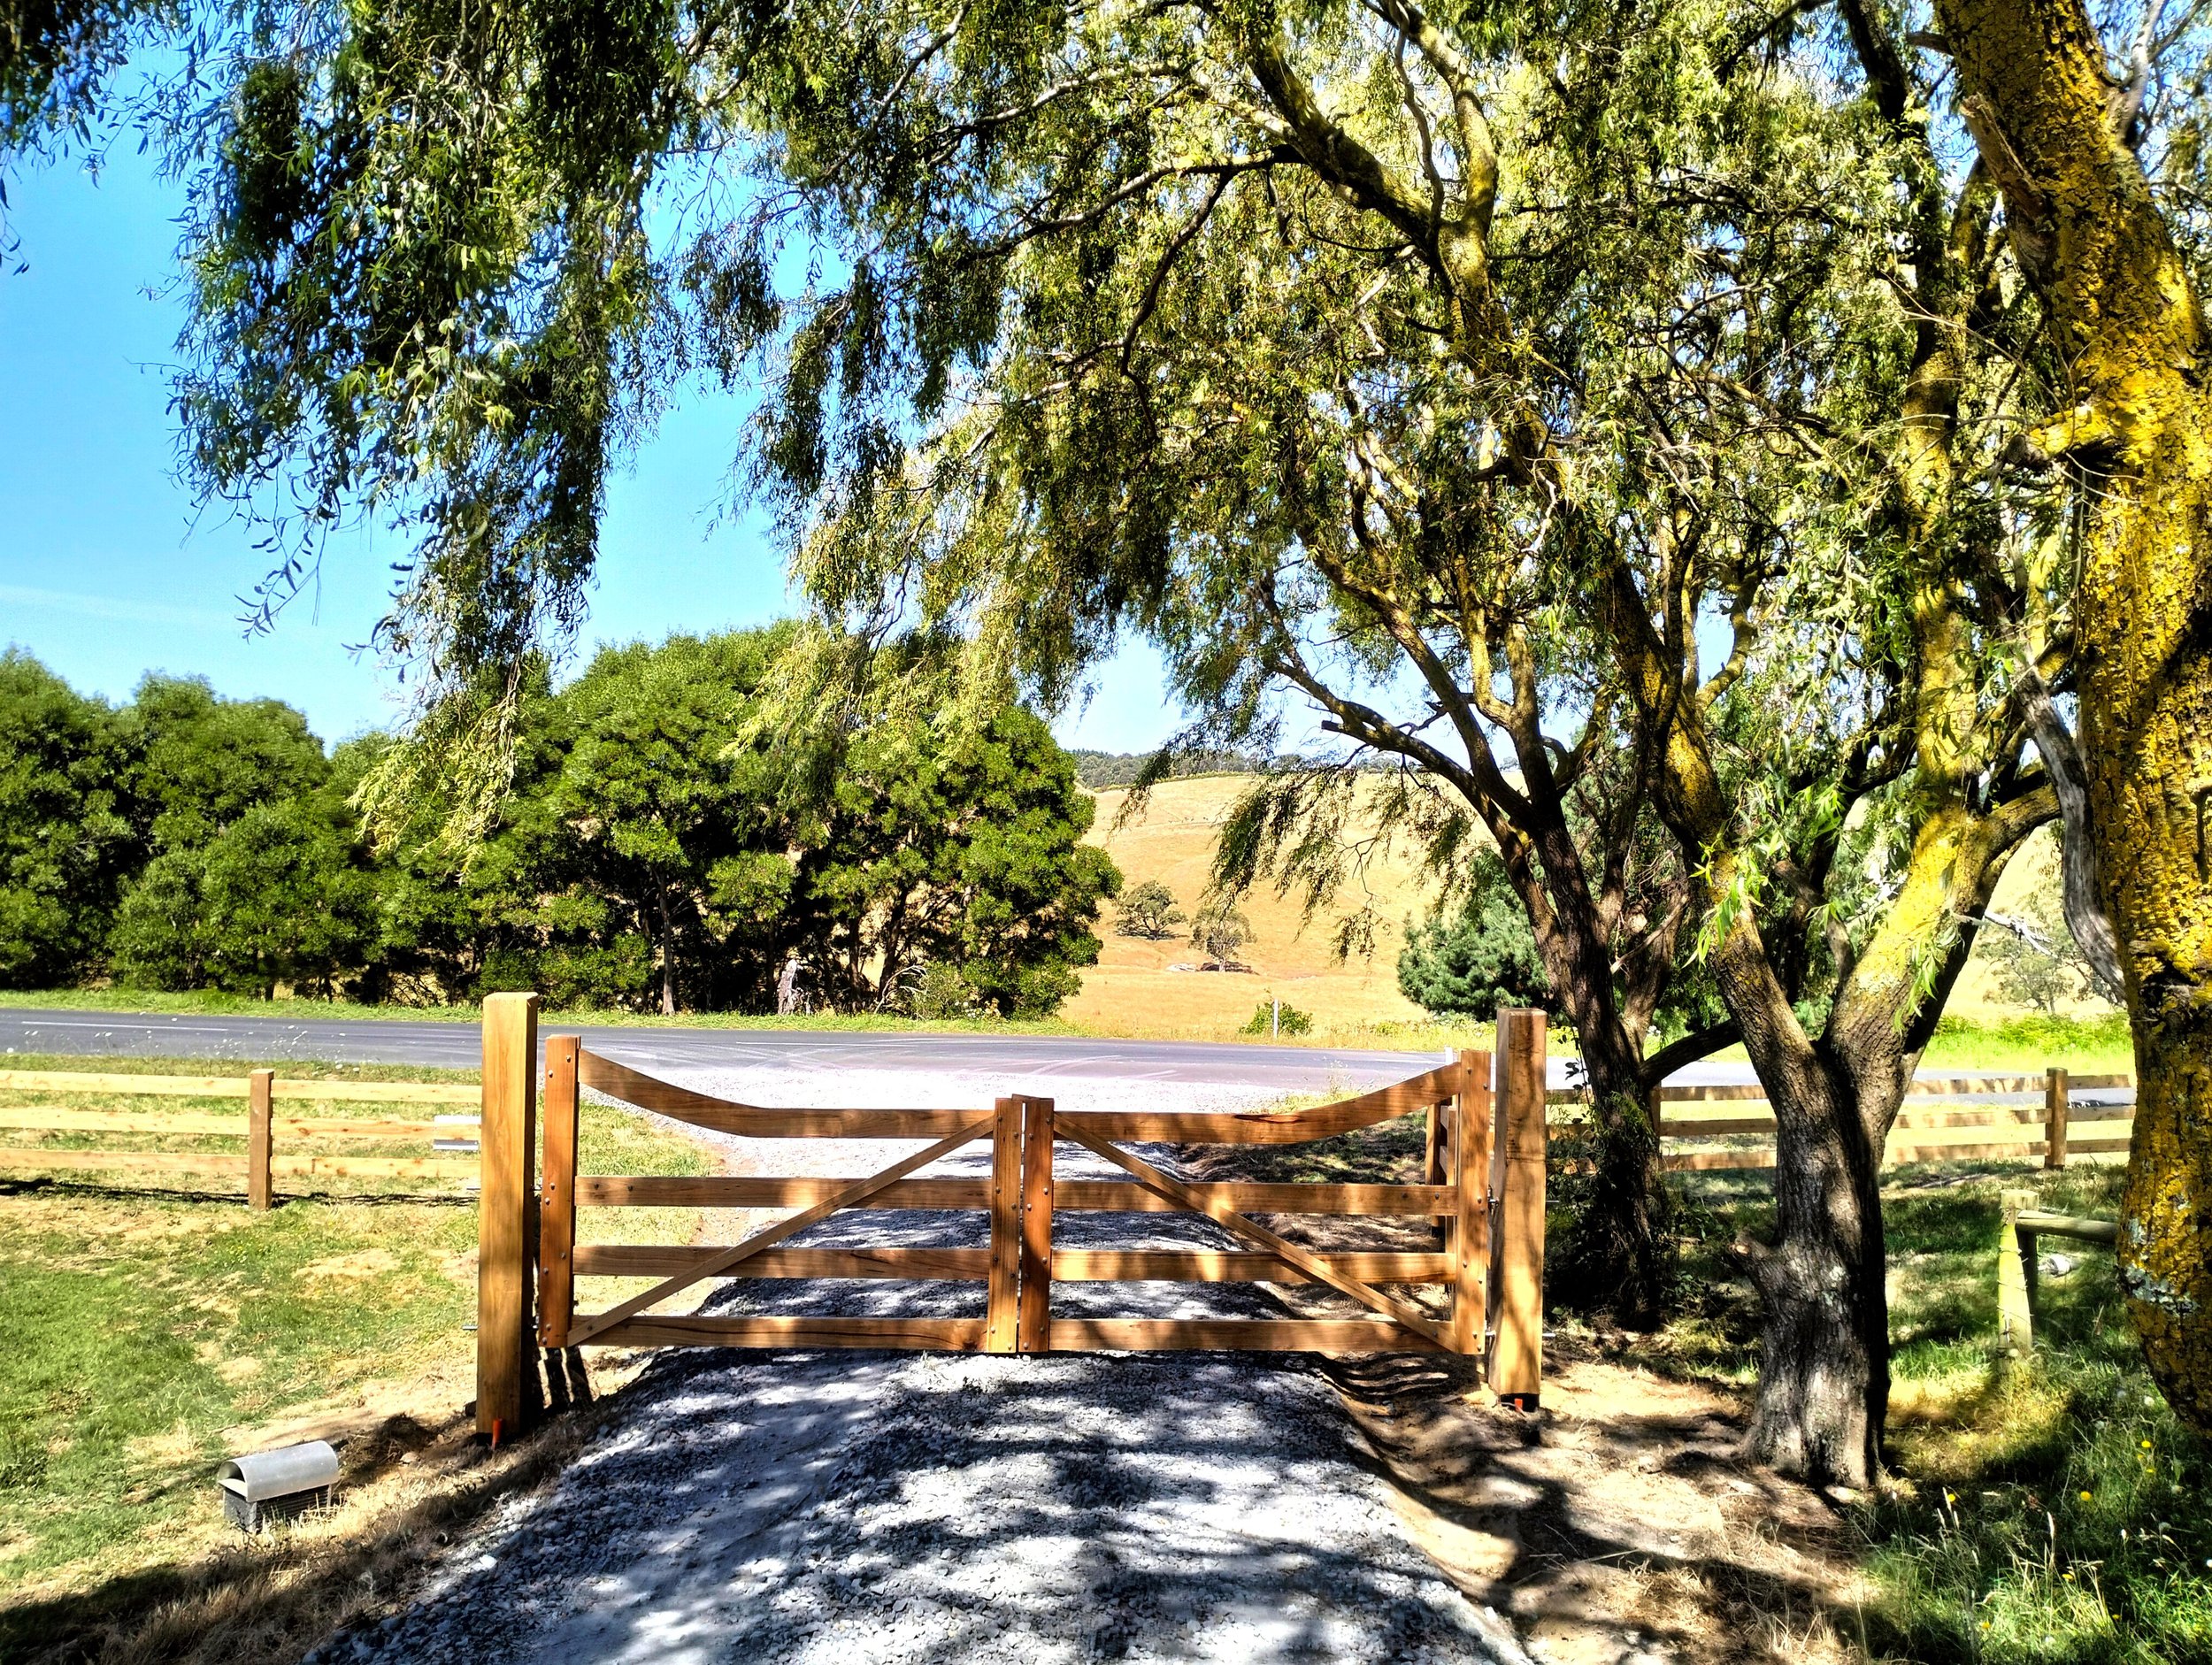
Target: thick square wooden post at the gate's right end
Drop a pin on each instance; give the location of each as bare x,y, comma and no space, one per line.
1519,1211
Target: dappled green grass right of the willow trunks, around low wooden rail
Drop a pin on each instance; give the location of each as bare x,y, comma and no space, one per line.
2041,1514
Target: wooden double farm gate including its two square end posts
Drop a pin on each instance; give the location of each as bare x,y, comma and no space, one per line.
1483,1188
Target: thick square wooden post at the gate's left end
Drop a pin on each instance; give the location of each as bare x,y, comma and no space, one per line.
503,1215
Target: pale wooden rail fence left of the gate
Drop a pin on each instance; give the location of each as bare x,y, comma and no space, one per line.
260,1124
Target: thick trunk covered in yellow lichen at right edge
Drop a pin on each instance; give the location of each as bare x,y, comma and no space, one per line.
2131,333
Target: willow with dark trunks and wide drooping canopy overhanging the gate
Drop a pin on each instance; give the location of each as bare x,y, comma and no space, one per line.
1463,377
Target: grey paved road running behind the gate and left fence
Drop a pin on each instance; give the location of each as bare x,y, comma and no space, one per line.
441,1045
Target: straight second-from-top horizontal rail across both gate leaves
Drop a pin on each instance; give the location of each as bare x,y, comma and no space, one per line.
729,1191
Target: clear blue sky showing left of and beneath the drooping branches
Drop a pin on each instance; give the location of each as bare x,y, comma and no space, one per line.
109,569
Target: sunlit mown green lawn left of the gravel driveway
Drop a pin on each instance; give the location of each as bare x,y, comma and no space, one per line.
147,1330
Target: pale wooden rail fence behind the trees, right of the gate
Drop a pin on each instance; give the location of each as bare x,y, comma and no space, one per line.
1968,1116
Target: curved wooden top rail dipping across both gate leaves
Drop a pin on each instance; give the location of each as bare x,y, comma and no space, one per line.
1182,1127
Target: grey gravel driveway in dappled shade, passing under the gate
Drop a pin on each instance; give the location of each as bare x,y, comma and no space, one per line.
928,1507
